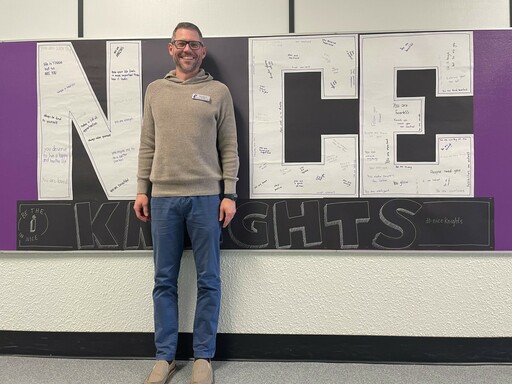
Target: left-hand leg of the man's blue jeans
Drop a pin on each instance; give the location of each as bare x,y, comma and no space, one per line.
167,228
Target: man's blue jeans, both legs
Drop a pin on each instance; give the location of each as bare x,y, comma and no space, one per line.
169,218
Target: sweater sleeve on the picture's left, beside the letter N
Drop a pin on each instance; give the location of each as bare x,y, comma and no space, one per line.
147,146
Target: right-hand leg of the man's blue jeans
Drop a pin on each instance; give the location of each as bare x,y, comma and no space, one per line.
204,230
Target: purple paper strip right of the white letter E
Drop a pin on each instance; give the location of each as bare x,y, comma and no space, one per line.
493,129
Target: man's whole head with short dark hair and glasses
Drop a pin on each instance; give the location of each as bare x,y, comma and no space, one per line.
187,50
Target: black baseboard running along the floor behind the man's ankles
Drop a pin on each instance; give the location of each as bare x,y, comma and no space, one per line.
265,347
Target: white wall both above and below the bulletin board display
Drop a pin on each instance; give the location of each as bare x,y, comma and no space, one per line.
348,293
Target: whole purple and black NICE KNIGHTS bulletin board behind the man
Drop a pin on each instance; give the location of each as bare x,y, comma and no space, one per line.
396,141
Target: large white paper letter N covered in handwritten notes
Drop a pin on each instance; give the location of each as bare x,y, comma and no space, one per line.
65,95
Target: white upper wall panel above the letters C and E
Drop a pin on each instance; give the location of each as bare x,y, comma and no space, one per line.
399,15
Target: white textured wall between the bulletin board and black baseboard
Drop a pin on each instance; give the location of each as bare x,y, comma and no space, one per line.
363,293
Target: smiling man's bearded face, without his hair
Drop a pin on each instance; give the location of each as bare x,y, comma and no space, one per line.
188,61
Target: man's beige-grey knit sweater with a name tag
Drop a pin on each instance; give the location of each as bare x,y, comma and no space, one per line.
188,142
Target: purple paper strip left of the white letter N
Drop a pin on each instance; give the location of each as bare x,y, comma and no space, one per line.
18,143
